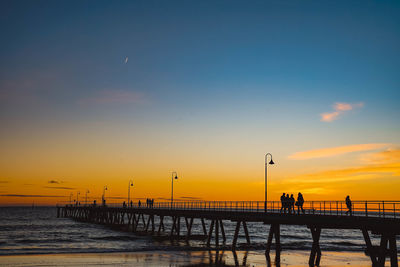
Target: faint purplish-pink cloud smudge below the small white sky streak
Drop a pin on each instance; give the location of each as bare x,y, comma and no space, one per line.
108,97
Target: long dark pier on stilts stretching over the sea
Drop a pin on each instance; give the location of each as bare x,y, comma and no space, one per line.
376,217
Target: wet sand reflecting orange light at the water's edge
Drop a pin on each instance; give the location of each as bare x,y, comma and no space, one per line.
185,258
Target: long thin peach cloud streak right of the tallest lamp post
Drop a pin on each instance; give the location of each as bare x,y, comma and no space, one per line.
334,151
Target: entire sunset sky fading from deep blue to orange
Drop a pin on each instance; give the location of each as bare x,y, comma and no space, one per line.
97,93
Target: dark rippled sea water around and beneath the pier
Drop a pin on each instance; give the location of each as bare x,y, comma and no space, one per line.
38,231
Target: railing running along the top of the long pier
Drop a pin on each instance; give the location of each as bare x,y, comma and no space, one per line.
383,209
